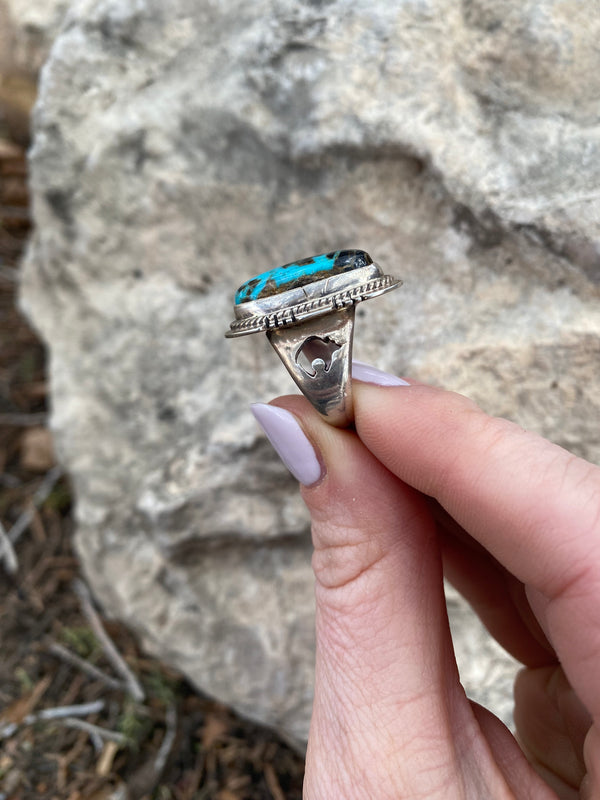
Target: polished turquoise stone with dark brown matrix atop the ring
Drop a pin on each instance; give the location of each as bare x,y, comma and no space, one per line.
300,273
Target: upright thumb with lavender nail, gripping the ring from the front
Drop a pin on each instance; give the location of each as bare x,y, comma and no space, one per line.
387,694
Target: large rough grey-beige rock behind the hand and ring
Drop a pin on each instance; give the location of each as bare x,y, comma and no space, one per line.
180,149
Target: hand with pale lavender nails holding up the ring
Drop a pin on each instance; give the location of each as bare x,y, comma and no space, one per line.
429,484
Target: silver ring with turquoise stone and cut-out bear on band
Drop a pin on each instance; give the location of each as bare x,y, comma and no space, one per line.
307,310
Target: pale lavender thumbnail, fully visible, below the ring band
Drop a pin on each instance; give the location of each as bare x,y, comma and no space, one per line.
289,440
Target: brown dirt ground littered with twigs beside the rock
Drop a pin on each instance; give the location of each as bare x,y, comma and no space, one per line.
83,712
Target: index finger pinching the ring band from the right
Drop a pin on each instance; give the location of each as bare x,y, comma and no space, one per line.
534,506
